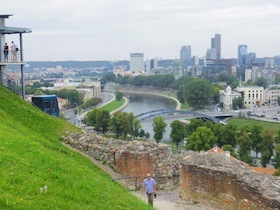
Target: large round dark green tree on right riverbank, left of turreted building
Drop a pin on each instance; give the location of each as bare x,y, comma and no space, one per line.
198,93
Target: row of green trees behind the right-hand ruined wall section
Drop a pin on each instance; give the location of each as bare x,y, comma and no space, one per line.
202,135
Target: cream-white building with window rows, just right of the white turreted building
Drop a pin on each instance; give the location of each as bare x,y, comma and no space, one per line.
253,96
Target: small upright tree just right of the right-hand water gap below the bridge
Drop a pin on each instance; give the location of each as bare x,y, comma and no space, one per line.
178,132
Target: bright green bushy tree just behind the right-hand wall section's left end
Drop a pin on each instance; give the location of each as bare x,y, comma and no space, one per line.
201,139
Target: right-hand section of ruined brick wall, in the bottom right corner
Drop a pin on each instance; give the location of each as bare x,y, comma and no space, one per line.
225,189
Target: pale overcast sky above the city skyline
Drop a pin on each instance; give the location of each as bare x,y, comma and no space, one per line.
111,29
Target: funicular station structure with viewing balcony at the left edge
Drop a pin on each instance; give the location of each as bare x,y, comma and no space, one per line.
14,57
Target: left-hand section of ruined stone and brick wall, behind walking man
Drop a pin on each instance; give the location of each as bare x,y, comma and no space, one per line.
131,158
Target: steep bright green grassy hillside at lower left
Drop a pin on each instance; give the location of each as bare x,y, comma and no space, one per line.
32,156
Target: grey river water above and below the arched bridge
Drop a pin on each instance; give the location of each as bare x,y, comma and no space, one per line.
139,103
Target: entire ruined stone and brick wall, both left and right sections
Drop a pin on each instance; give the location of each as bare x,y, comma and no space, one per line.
204,177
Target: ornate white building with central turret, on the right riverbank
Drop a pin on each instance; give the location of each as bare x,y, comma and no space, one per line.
227,96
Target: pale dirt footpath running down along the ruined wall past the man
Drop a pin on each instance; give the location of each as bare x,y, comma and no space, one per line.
166,200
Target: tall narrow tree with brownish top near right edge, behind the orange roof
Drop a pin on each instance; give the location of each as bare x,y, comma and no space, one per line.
267,147
